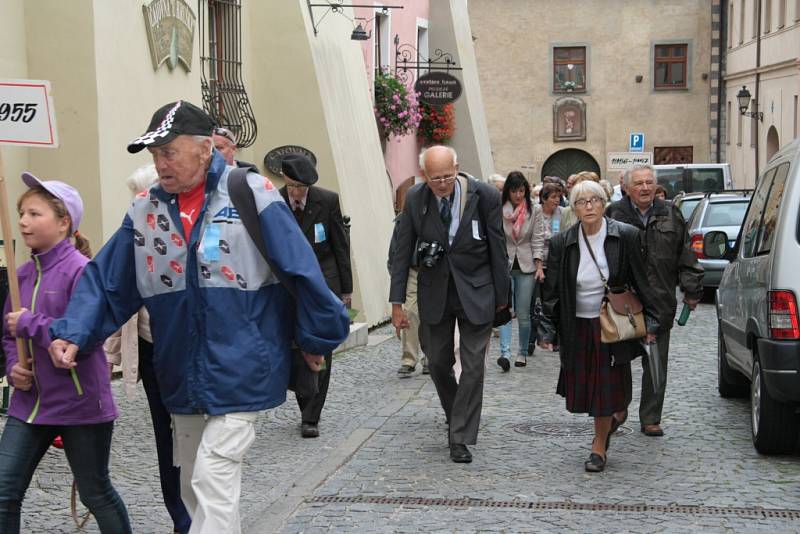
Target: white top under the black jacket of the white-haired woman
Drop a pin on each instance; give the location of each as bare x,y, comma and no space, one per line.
590,288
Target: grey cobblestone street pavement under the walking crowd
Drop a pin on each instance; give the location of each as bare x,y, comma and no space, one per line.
381,464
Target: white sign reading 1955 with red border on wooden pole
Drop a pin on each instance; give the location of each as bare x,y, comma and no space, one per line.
27,114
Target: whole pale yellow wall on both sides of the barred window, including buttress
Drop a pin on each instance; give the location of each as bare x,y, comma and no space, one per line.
305,90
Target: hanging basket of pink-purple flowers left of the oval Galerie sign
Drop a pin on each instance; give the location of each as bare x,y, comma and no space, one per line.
396,108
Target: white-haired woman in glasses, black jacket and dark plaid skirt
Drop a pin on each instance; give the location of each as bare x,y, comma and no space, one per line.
594,376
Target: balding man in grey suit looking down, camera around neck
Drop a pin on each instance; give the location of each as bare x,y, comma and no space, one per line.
454,222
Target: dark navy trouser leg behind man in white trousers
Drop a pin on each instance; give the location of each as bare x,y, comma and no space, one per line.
168,474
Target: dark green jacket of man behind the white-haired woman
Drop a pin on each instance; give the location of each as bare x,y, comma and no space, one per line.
669,259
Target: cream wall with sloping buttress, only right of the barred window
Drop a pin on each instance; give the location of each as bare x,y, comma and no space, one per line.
314,92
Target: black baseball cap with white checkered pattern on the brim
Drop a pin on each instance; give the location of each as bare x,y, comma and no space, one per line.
170,121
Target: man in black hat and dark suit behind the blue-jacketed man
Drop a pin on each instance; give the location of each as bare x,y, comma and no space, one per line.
319,215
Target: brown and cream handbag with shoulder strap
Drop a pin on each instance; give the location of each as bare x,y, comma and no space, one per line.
621,313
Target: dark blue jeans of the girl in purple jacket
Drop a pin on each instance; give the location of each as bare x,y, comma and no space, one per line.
87,448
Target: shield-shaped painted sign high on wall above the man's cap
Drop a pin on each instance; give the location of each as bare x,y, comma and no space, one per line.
170,32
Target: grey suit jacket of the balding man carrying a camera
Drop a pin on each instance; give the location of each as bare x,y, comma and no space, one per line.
477,260
